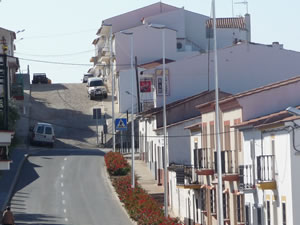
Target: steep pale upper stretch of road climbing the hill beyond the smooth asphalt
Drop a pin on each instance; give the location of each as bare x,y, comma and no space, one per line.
69,109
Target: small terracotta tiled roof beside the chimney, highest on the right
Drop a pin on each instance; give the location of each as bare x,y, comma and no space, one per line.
232,22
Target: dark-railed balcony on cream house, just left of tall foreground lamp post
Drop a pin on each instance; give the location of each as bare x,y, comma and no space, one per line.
203,164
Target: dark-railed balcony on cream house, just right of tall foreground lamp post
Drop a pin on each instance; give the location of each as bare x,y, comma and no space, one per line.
229,165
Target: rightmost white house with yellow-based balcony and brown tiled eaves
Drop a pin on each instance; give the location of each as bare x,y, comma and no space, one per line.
269,176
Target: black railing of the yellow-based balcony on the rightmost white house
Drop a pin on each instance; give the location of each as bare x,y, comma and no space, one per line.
266,168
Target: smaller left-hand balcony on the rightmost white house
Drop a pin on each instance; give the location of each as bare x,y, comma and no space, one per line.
246,178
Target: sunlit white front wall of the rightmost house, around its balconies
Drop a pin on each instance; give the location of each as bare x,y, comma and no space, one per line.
286,165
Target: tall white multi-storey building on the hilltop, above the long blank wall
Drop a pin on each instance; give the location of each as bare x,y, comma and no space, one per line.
186,34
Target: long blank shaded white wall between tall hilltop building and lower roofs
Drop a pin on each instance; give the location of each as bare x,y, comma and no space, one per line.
241,67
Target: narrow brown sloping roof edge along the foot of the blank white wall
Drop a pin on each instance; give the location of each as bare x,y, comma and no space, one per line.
153,111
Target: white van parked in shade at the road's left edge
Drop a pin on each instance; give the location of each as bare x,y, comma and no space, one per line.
42,133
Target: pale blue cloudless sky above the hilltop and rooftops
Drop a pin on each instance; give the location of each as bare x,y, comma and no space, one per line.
62,31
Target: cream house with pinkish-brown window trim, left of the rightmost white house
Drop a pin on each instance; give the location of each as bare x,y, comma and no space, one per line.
199,179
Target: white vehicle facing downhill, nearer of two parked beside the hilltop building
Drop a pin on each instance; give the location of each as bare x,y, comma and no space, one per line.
96,88
